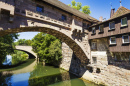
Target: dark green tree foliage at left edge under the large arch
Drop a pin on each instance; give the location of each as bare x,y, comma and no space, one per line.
6,45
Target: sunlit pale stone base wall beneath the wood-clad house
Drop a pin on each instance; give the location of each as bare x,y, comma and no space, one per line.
110,76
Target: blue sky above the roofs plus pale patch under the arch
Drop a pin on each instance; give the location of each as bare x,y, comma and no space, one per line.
98,8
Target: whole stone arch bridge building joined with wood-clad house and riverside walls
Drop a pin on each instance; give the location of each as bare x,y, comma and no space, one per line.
105,44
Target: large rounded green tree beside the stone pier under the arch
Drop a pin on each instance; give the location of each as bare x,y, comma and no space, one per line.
47,47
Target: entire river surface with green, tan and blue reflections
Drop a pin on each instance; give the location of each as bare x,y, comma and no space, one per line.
36,74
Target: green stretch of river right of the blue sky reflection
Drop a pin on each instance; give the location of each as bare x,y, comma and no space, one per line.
50,76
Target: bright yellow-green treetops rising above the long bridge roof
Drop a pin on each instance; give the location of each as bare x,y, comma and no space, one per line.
78,6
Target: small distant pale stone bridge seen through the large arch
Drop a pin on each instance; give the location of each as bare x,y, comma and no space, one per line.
28,50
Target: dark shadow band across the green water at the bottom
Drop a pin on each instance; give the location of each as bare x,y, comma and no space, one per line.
50,79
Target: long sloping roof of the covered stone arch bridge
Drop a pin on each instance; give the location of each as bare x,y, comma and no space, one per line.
70,10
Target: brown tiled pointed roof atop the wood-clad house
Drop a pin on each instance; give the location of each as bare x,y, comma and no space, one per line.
121,11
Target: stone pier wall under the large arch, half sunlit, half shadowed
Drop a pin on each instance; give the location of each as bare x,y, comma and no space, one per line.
69,61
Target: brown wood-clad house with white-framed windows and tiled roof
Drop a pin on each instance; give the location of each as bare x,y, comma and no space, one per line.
112,38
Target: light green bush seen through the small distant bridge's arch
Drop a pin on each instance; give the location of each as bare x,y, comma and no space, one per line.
18,57
